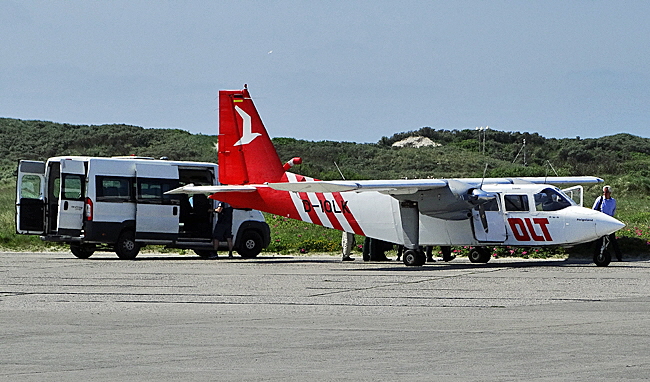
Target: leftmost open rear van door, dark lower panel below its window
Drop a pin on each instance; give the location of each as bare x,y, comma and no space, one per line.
30,198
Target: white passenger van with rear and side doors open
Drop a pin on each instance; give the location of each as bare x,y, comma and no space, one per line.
120,204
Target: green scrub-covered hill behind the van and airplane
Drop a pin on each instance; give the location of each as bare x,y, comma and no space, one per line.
623,160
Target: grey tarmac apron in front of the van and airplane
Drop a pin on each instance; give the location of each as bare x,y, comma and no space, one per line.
314,318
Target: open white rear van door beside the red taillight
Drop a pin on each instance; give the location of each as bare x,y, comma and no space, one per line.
71,201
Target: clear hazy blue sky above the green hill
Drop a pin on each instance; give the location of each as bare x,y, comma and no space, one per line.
332,70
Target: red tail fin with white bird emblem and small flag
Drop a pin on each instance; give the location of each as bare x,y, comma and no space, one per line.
246,153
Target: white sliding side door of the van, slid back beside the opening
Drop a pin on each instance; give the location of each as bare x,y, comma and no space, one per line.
157,214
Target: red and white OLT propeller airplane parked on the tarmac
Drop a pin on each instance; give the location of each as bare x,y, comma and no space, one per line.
474,212
